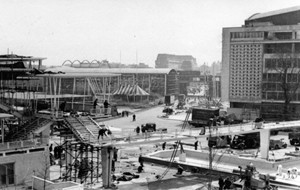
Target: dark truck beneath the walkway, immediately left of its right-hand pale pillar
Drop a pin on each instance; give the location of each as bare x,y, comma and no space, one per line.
245,141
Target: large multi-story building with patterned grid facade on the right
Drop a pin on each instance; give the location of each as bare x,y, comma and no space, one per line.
251,57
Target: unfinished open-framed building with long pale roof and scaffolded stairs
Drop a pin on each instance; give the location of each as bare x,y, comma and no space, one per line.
34,100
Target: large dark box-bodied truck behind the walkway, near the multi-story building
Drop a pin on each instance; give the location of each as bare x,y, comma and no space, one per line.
202,117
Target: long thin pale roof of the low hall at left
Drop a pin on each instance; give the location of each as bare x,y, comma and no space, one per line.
67,70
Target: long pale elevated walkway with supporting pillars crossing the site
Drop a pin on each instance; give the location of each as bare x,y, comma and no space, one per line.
128,138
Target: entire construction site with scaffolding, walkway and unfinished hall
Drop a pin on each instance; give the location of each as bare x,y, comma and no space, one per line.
67,128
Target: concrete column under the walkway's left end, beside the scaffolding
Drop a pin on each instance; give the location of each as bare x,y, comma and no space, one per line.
106,160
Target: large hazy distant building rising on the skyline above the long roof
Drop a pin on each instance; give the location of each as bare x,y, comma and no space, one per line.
178,62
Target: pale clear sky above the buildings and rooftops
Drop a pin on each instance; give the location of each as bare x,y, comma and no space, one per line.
126,31
